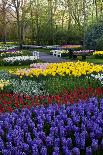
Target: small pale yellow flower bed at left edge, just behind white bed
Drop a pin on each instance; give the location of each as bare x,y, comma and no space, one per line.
12,53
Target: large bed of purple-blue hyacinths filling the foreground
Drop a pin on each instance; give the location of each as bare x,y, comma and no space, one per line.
67,130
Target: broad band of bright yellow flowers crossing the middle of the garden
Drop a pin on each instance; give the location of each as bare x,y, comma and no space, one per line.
62,69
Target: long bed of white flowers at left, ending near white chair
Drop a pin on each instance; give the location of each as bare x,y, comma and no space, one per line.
19,60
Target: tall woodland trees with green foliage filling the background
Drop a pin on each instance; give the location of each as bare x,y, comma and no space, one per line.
48,21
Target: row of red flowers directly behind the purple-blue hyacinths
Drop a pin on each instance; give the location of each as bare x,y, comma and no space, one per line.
9,102
